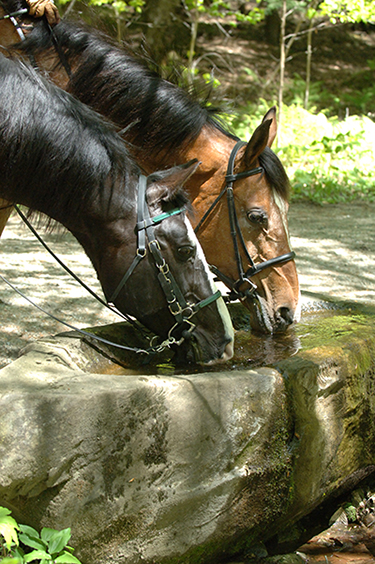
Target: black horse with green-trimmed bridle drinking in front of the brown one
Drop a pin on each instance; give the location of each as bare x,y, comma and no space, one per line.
59,157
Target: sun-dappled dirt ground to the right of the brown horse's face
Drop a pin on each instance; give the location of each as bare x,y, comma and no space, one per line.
335,248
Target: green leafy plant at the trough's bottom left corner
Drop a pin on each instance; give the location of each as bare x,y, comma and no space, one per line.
50,547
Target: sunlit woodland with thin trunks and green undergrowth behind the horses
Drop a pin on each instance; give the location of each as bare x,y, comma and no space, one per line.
314,60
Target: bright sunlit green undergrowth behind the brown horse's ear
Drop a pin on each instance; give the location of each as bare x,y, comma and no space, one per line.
328,160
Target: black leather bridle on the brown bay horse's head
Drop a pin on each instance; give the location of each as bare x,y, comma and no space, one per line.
244,276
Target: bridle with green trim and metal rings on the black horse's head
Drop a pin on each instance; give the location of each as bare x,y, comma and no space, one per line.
181,310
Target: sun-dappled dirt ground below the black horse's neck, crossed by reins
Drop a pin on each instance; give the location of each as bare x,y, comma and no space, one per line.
25,263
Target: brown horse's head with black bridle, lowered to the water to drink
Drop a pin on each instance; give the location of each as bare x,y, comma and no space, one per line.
260,194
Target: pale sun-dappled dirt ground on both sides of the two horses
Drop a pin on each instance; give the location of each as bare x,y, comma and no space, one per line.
335,248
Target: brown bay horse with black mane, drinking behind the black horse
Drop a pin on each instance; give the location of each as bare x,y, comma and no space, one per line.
240,191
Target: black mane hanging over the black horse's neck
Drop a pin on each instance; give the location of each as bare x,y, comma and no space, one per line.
56,154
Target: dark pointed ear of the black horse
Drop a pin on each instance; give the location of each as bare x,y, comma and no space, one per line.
166,184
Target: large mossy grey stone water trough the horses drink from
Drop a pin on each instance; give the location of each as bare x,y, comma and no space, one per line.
148,464
